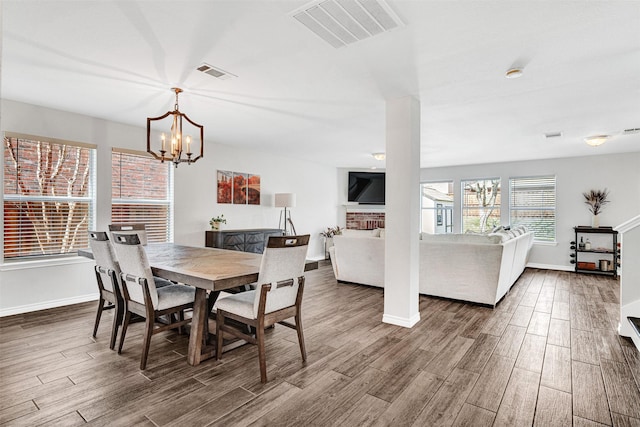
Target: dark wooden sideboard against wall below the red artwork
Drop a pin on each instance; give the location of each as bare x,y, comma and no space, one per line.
248,240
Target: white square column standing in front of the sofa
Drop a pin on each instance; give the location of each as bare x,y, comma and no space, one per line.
402,203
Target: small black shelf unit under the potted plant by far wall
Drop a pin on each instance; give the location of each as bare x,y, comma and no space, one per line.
588,260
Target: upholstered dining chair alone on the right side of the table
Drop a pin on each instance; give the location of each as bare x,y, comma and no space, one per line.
278,297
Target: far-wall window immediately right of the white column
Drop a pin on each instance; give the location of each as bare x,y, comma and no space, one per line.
437,207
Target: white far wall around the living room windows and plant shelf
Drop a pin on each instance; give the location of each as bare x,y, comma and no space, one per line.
619,173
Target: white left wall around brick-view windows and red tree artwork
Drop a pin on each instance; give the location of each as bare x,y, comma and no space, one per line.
32,286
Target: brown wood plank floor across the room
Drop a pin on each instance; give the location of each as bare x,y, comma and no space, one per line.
548,355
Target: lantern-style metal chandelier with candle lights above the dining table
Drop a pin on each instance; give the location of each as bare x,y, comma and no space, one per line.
179,139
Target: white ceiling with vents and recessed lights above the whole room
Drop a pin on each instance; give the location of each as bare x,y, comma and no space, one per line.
297,95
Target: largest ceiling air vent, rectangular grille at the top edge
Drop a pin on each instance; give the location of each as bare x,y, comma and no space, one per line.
343,22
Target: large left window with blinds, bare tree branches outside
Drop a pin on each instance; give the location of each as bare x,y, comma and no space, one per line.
49,196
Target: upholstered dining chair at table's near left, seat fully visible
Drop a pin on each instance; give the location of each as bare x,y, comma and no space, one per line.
141,296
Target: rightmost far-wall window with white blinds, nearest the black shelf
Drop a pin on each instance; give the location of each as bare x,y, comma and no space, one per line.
532,203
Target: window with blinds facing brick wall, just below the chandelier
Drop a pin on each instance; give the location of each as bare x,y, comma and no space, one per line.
142,192
